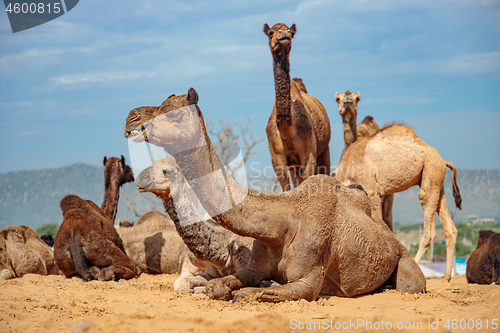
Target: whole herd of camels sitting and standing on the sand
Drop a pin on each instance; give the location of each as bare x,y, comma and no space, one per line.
331,234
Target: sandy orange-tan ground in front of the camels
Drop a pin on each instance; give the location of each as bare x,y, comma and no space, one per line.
148,304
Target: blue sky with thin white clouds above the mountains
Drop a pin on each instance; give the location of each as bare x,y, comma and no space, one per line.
67,86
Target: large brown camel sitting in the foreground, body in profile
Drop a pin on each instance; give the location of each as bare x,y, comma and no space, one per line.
316,239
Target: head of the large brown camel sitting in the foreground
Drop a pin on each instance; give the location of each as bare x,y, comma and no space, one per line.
176,125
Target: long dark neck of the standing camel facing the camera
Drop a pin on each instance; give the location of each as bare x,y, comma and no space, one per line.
281,67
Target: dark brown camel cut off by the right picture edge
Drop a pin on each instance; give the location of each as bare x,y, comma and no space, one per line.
483,266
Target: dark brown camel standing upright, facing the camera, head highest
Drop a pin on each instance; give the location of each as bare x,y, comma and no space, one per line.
298,130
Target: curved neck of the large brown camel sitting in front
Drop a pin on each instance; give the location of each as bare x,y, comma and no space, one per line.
230,204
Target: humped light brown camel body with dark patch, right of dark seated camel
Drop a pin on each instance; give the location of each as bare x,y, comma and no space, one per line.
154,245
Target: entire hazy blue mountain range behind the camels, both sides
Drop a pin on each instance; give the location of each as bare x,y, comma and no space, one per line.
32,197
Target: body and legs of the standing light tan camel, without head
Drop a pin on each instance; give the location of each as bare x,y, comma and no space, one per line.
394,160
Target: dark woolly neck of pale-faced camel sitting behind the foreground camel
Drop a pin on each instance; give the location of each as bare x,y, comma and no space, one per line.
203,238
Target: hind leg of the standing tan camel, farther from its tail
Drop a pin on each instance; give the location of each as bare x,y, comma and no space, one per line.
429,198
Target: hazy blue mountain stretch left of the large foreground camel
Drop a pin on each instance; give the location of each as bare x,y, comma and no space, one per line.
32,197
